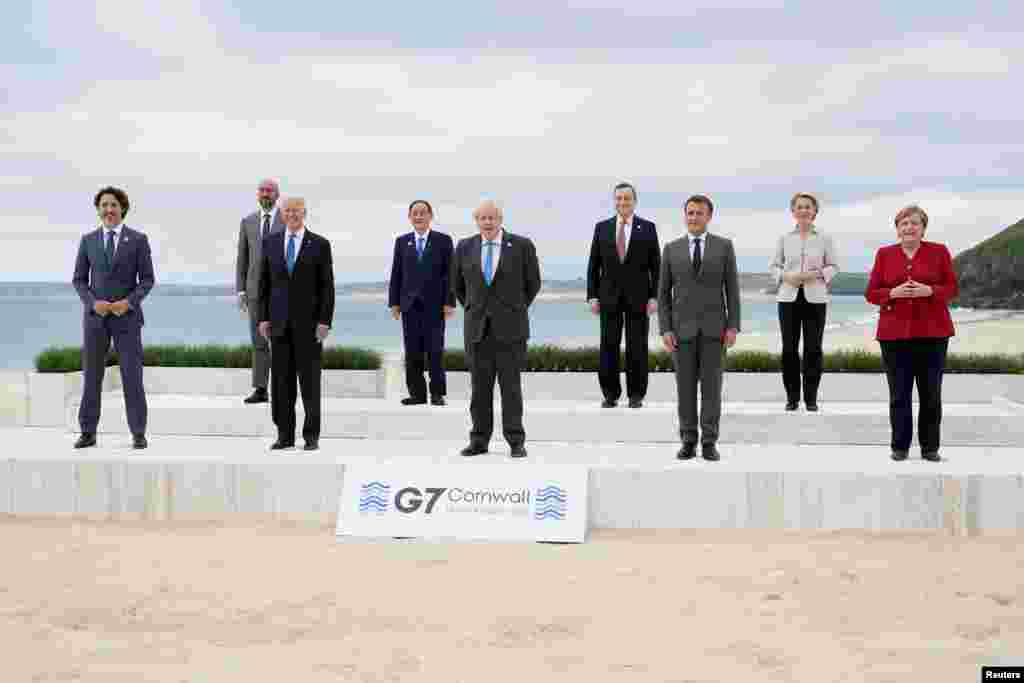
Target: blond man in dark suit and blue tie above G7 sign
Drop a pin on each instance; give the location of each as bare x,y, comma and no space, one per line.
496,277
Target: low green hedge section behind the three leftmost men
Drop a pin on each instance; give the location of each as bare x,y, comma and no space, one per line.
69,359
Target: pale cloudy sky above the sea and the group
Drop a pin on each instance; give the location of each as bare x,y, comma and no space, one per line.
541,105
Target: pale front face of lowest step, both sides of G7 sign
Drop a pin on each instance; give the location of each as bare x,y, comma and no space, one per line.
307,491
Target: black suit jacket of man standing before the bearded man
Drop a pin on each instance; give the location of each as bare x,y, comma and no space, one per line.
306,298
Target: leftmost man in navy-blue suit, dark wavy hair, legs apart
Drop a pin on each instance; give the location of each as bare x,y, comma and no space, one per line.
113,275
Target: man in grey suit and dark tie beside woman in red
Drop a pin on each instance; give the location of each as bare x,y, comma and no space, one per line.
699,319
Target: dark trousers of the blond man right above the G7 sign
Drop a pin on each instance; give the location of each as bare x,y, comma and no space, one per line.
491,360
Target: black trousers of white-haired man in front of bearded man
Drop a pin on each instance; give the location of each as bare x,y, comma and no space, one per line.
295,356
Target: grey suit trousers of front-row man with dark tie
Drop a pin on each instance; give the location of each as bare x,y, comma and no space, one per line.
700,360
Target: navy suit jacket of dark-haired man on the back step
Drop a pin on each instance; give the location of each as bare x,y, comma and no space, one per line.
426,281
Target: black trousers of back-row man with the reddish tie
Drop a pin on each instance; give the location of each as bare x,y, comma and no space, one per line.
637,328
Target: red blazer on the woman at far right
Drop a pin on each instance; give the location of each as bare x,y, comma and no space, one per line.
911,319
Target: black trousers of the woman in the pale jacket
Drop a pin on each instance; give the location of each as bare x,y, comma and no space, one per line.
794,318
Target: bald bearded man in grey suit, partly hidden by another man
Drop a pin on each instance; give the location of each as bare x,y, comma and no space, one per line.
254,228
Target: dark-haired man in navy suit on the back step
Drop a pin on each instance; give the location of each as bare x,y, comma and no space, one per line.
419,294
